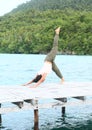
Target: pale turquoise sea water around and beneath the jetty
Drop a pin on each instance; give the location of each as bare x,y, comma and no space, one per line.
19,68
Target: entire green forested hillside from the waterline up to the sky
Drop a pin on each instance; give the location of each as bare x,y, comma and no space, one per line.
30,27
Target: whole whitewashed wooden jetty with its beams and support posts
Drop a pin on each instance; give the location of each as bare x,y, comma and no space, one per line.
25,98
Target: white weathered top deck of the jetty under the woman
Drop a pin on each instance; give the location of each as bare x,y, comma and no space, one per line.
52,90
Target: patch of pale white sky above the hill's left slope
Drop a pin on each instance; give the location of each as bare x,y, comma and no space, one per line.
8,5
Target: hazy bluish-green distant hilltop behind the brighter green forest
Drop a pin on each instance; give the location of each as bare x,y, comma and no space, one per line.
56,4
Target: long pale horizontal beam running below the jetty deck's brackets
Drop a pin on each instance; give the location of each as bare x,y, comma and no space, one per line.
53,104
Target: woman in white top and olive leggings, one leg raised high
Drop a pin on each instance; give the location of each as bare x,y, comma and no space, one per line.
49,64
